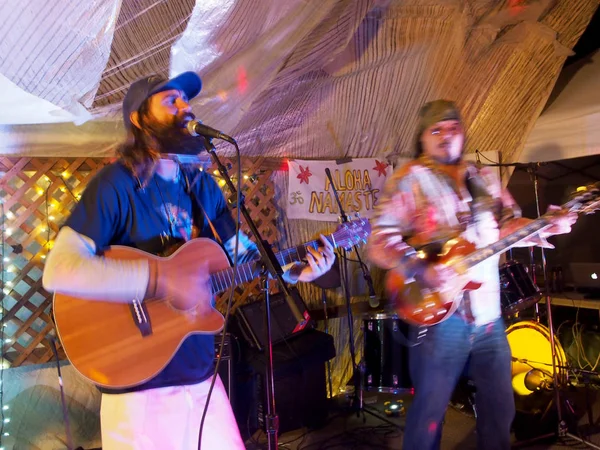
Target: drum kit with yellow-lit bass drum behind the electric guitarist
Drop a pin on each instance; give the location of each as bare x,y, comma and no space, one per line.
387,340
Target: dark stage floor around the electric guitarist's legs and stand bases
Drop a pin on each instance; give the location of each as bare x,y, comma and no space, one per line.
345,430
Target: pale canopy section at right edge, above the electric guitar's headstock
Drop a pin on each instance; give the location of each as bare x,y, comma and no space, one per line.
570,126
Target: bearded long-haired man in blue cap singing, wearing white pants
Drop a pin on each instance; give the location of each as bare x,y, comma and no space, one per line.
146,200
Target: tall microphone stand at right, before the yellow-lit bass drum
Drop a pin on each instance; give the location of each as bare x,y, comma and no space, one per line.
562,428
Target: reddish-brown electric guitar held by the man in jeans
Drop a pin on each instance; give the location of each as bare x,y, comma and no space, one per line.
419,304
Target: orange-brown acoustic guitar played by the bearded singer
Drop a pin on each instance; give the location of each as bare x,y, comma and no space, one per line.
120,345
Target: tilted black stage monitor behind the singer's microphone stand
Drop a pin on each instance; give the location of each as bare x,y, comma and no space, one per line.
251,320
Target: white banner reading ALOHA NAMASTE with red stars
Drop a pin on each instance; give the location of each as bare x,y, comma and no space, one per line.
358,183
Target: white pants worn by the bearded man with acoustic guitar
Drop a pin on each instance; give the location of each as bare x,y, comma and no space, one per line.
169,419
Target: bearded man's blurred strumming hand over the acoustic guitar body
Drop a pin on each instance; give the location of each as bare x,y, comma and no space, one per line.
182,281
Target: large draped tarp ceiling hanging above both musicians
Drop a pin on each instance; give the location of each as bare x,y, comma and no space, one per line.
294,78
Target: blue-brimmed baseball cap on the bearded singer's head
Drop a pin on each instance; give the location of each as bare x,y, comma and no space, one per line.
187,82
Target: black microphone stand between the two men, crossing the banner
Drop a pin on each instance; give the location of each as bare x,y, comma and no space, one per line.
357,373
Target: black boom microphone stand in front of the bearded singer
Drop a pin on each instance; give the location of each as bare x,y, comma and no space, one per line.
270,267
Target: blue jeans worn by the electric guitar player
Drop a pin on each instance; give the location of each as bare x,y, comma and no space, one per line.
436,366
